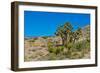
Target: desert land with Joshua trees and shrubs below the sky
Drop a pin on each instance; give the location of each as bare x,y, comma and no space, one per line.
65,44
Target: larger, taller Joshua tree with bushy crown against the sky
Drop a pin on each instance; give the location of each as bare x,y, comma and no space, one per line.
64,32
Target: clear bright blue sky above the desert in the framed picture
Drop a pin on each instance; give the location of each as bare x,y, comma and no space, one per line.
45,23
